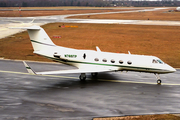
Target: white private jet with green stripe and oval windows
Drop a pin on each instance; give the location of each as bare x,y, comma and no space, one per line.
90,61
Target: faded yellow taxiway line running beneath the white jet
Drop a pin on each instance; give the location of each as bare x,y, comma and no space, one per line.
119,81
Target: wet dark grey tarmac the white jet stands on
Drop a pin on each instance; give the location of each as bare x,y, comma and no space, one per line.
24,96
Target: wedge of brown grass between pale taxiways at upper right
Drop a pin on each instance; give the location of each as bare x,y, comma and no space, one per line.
151,15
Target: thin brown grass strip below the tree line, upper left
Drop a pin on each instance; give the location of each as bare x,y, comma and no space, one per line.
28,12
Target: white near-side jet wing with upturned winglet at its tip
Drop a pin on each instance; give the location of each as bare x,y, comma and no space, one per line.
68,71
